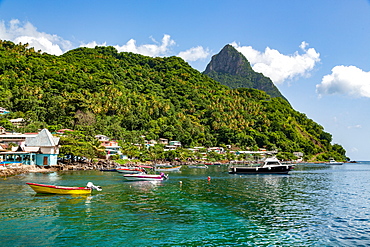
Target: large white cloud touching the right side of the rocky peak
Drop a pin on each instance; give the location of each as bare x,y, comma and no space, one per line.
280,67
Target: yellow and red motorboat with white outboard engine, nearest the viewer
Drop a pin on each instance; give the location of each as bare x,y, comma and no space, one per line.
63,190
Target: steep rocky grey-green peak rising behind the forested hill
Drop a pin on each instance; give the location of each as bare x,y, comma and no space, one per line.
232,69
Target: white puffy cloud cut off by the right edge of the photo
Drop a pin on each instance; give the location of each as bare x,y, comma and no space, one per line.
348,80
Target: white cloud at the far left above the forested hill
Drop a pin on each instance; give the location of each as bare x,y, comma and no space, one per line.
27,33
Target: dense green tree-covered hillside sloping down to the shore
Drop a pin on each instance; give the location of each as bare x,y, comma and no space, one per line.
125,95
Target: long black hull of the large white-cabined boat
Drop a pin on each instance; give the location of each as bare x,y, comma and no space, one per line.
283,169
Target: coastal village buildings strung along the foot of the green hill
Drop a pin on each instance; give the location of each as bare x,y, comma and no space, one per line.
39,152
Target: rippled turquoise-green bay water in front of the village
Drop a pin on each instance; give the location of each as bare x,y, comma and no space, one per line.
315,205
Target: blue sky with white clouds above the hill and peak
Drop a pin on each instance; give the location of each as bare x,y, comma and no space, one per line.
317,52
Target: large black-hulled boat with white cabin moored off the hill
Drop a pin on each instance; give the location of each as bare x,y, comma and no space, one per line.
269,166
